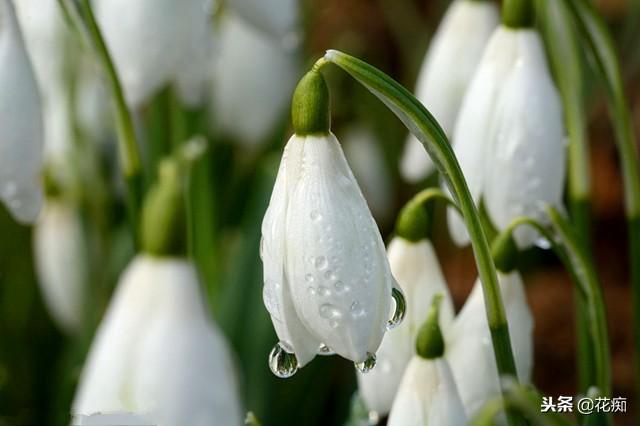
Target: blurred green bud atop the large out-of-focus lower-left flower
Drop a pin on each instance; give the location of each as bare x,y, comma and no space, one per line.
164,229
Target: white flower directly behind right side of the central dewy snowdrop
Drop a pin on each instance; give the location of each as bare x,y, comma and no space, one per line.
416,267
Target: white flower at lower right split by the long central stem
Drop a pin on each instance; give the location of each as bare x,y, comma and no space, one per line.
469,348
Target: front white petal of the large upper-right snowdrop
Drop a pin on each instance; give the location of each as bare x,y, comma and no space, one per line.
528,164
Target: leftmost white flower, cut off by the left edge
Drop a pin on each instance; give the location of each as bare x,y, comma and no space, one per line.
21,129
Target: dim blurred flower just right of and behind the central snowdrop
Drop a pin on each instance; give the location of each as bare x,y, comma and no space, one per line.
366,158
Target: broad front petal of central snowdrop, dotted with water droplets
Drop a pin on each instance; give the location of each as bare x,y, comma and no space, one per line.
336,262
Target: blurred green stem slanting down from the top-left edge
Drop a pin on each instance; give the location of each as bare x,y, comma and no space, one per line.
127,141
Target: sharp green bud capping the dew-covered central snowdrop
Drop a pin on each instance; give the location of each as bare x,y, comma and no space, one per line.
310,106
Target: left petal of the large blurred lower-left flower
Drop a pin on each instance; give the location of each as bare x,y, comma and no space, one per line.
105,384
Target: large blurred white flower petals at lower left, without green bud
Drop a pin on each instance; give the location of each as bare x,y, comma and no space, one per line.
157,355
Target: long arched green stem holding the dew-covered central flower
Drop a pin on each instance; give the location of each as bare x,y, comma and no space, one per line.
427,130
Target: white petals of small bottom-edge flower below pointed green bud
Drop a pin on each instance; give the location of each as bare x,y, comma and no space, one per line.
427,396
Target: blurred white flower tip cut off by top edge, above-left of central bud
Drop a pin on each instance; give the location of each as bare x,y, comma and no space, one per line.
277,18
